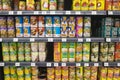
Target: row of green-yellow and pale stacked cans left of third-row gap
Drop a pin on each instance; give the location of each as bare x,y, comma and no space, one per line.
24,51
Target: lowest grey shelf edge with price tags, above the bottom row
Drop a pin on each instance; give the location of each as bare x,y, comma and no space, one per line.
56,64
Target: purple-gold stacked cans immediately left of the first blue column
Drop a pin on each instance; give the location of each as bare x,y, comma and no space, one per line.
10,26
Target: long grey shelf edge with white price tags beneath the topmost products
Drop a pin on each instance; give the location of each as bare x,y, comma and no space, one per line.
53,12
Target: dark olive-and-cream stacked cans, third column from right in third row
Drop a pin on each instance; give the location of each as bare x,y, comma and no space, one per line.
103,51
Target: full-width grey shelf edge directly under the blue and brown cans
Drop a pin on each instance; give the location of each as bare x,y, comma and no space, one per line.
59,39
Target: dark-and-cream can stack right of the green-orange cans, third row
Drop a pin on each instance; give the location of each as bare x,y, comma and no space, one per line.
94,52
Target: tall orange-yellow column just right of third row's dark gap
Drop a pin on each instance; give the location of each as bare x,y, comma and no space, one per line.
57,52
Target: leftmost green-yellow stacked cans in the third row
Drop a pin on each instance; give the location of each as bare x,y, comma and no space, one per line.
5,52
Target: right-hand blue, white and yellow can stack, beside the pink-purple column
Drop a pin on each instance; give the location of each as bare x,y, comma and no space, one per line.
71,28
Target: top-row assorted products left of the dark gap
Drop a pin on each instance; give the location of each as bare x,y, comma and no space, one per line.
29,5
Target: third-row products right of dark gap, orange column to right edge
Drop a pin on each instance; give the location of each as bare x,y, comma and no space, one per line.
85,52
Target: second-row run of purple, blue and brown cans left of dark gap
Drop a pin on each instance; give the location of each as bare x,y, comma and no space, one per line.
45,26
